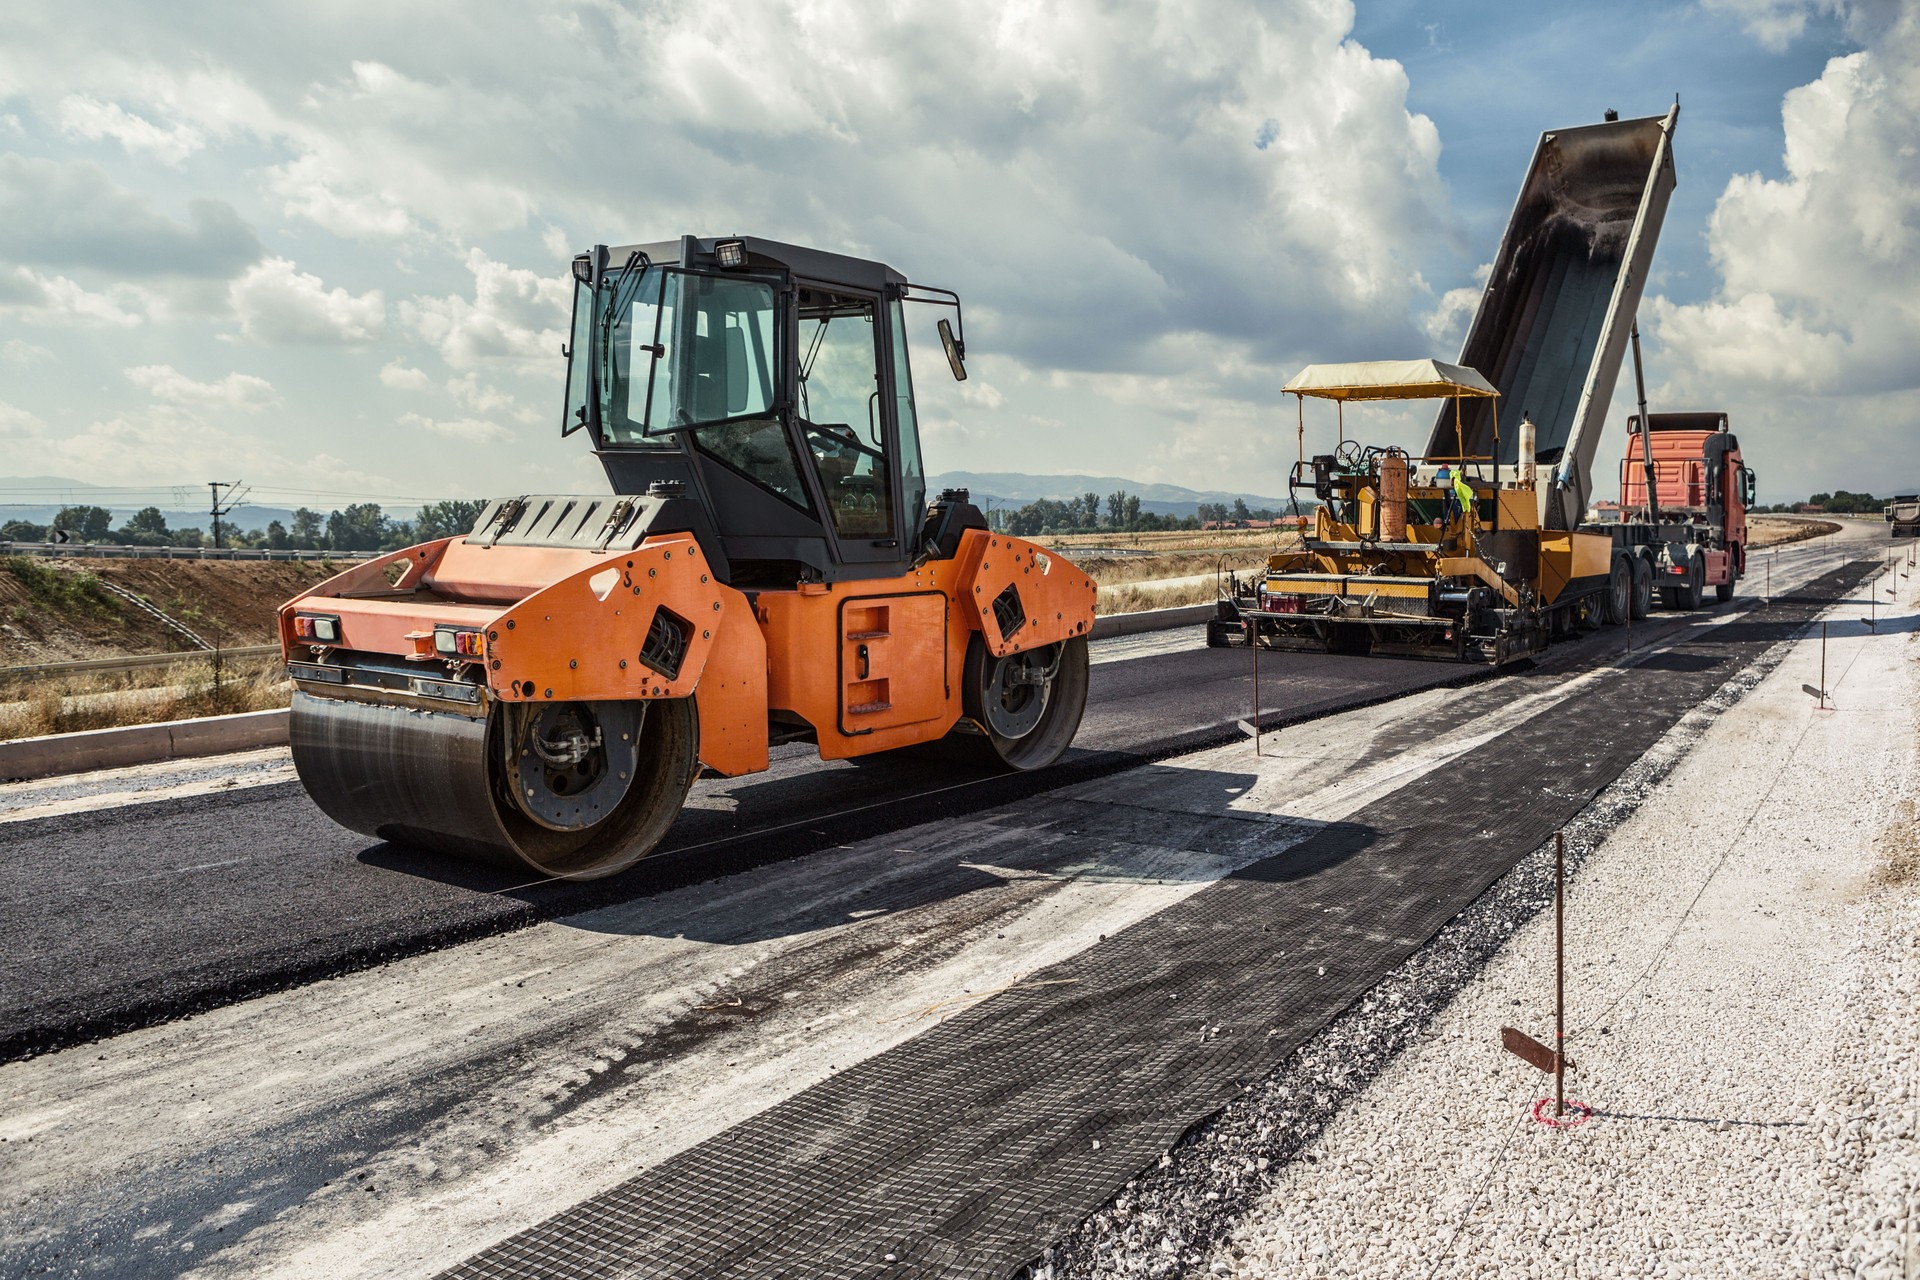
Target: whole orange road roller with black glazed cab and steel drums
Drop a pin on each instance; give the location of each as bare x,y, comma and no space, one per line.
767,569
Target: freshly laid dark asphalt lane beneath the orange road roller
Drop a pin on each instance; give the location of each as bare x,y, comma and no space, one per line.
135,914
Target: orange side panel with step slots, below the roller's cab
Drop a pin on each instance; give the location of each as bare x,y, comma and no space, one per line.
892,661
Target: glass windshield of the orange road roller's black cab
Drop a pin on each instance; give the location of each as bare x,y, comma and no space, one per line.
669,350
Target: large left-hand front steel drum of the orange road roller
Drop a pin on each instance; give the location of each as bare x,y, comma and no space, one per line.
567,792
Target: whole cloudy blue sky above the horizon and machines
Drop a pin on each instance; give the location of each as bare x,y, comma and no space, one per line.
324,249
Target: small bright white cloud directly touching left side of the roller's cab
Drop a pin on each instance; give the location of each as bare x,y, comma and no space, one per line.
516,314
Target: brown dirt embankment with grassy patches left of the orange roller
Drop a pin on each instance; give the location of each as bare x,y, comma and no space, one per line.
59,611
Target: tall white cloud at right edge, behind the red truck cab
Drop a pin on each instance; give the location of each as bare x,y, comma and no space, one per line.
1815,318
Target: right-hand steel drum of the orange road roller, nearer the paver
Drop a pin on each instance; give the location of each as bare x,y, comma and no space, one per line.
1028,703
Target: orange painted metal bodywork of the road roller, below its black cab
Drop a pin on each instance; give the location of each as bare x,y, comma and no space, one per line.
867,665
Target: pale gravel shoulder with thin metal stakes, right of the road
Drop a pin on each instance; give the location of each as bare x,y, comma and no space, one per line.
1744,960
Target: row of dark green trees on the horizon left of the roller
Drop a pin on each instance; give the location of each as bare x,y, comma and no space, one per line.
360,527
